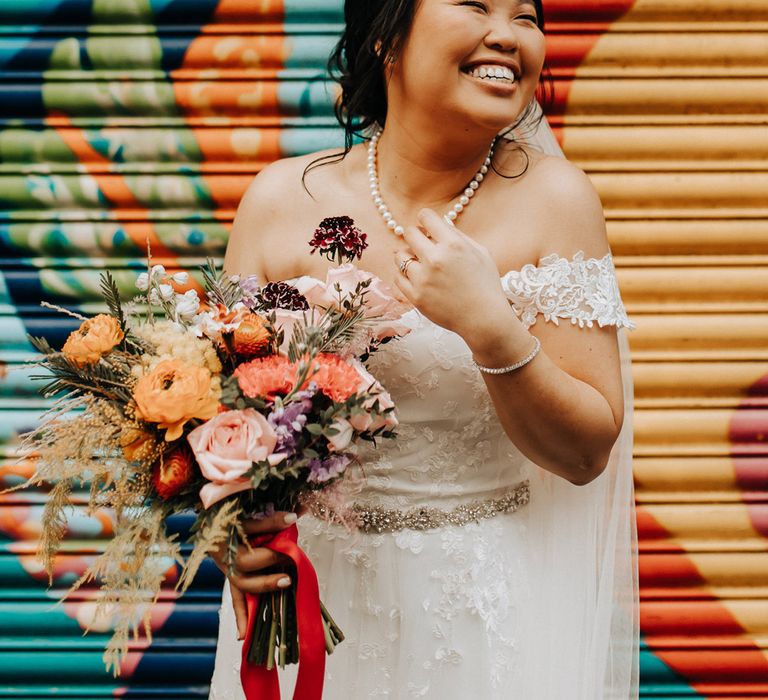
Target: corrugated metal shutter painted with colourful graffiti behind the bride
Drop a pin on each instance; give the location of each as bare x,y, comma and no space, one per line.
127,121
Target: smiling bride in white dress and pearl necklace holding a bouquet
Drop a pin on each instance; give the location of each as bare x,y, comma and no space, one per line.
512,389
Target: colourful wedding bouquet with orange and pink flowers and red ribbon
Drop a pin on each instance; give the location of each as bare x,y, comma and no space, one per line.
247,400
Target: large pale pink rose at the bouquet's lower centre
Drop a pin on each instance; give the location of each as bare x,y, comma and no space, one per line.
226,446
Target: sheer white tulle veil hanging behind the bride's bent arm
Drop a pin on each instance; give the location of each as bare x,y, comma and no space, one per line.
581,631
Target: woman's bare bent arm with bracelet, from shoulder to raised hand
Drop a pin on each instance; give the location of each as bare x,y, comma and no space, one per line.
564,409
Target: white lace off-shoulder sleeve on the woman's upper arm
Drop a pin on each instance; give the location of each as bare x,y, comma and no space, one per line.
583,290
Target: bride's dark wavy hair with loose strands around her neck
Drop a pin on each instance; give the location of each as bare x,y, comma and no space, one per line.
374,32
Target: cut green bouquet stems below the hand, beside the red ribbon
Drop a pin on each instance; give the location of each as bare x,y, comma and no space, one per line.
276,630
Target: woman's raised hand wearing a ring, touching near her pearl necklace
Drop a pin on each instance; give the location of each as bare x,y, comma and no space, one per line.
453,280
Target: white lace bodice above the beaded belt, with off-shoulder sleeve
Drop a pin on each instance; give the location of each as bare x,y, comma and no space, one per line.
451,447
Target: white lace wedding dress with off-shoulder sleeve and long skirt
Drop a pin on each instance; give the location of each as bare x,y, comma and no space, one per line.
535,604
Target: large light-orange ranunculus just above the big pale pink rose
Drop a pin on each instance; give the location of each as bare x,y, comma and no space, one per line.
173,393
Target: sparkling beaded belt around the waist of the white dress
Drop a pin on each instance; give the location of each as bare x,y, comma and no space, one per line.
373,519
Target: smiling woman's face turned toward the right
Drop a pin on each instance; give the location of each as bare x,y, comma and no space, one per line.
478,59
